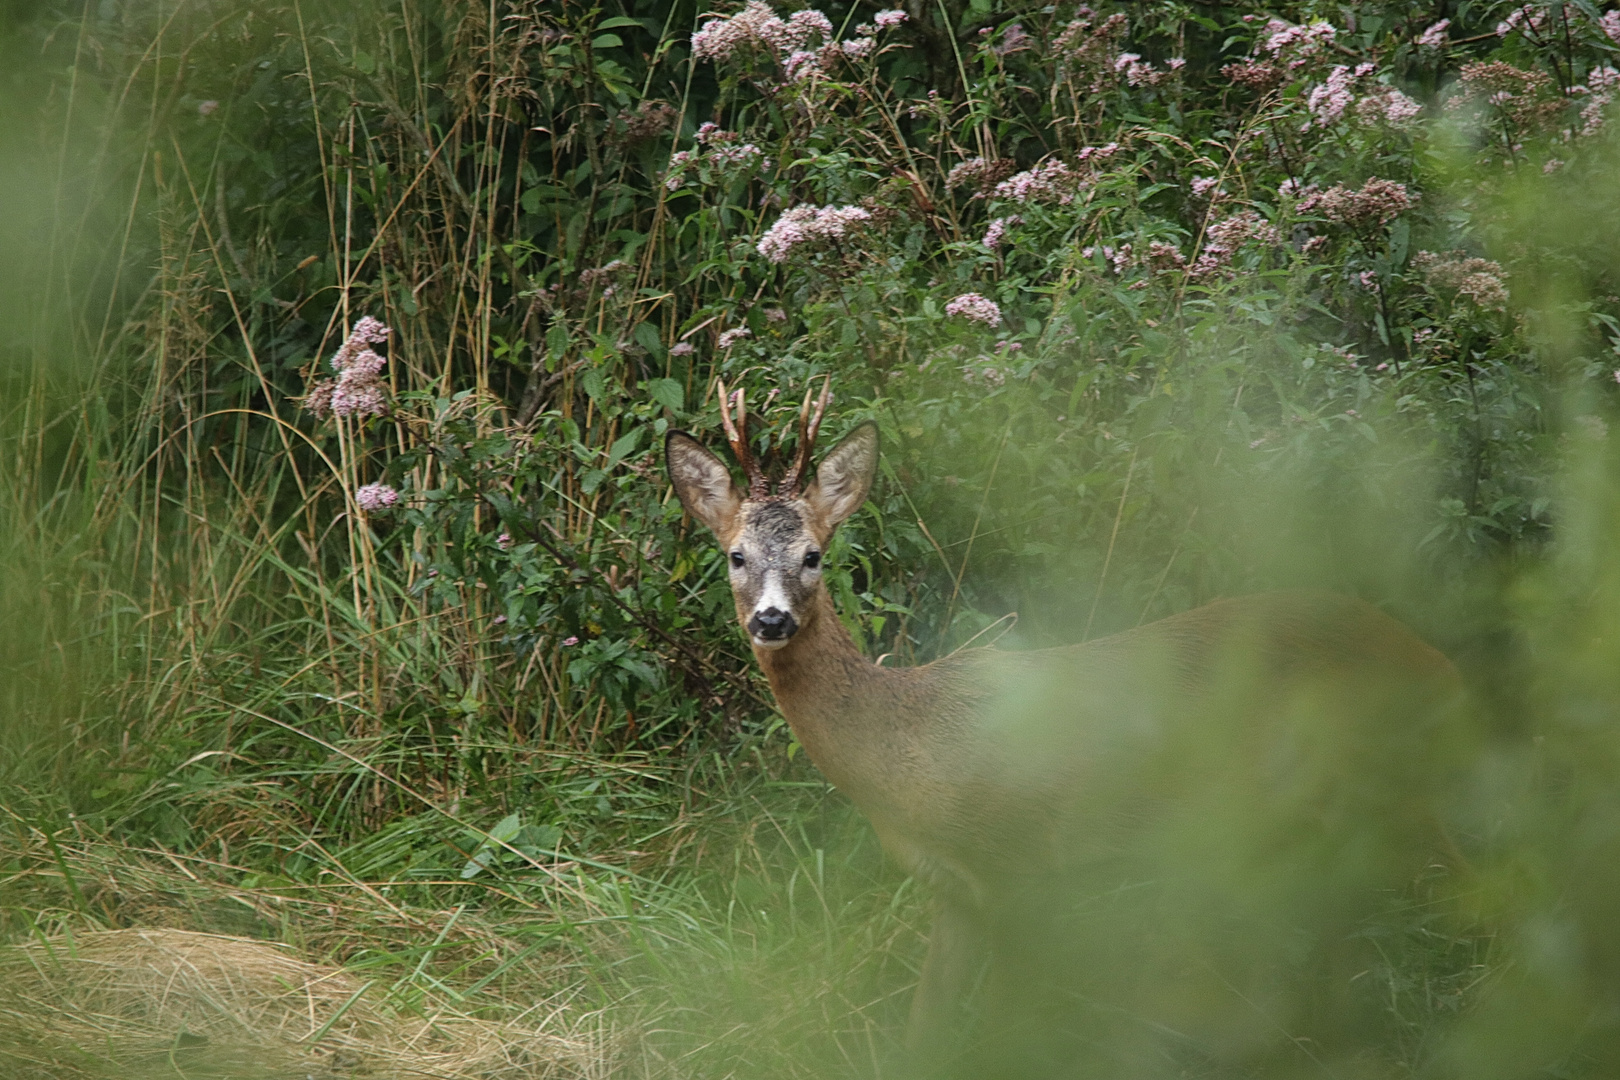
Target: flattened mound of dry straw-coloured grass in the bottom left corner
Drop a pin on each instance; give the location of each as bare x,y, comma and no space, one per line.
148,1003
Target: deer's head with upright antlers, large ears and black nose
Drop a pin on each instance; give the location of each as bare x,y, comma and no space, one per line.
774,542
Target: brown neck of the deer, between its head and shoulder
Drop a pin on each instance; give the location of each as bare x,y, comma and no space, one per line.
848,713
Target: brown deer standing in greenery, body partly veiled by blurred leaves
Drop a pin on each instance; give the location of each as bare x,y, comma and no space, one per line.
994,775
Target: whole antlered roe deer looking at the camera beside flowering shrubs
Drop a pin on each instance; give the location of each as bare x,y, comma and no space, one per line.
1277,744
